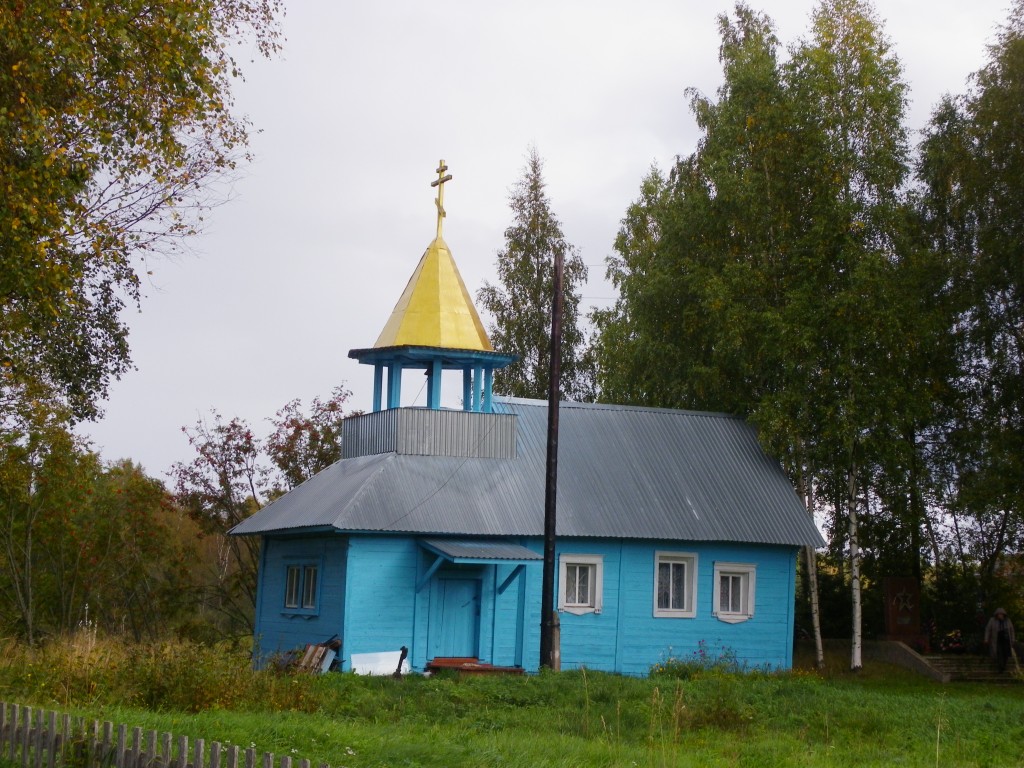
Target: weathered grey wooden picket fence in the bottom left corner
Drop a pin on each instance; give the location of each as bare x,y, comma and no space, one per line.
37,739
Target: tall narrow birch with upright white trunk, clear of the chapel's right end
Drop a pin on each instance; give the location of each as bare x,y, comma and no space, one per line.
849,106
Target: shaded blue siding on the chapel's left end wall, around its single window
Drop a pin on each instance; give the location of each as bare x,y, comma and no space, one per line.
280,629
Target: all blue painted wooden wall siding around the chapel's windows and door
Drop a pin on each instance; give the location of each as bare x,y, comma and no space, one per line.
369,598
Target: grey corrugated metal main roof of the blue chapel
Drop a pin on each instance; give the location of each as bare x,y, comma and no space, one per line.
623,473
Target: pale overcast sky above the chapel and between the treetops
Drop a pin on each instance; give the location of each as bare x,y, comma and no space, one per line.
323,231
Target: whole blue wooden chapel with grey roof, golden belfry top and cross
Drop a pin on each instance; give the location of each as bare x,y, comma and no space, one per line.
675,531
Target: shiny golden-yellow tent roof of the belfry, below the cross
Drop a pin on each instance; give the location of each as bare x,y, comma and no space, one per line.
436,310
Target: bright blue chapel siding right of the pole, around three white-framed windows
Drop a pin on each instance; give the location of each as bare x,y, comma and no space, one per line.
627,637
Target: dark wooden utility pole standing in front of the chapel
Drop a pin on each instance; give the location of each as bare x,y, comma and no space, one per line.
550,655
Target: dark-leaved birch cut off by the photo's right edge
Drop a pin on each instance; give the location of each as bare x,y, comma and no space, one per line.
971,167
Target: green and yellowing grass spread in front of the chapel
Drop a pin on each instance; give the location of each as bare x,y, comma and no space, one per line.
713,717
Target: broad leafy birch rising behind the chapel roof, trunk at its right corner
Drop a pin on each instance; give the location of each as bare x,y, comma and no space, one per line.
702,321
